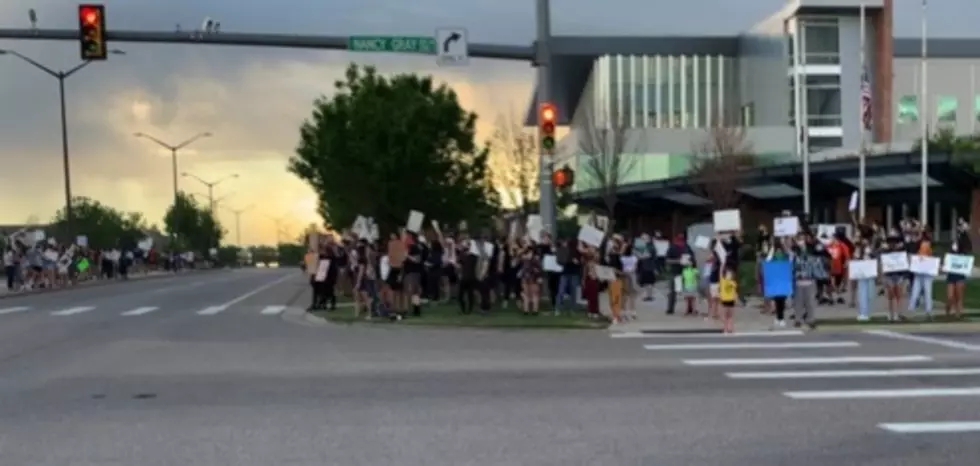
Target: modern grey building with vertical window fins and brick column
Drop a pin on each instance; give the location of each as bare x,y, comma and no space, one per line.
668,92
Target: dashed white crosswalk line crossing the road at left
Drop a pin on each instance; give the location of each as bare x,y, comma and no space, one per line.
208,311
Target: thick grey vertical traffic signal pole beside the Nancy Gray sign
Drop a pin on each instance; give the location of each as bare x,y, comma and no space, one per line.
546,190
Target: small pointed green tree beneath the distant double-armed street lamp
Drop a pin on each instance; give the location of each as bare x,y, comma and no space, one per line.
193,227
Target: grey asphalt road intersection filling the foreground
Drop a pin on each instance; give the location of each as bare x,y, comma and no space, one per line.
236,386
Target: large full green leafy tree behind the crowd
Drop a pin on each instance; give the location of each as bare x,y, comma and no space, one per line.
384,146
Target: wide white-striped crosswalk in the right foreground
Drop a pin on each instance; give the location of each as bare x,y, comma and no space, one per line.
836,369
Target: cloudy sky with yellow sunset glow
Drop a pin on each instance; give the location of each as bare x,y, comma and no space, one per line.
254,99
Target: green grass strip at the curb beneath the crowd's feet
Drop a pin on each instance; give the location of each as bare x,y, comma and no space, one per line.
448,315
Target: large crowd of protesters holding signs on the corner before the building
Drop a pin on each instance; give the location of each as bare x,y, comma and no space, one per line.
396,277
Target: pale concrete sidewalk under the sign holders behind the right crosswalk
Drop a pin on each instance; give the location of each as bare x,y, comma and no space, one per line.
652,317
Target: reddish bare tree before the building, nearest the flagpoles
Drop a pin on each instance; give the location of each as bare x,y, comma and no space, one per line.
715,164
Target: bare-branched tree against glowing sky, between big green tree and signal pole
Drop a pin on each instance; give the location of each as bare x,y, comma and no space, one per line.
515,163
